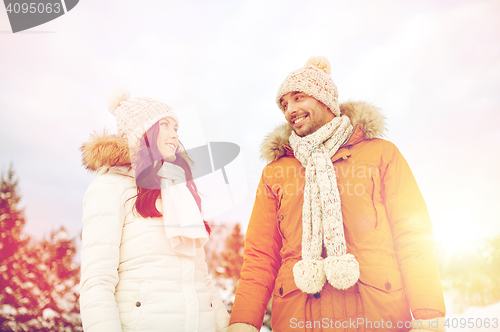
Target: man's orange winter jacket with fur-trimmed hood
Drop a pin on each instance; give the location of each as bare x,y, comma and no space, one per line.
386,226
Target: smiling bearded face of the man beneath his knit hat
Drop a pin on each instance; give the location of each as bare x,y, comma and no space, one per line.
304,113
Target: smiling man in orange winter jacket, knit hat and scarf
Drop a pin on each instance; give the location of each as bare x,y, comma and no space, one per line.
339,233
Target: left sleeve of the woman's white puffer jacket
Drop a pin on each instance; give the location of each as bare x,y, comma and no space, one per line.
103,217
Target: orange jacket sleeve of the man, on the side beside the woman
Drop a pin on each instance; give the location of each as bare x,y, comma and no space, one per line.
262,260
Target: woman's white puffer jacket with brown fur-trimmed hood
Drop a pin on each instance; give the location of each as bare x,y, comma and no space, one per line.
131,278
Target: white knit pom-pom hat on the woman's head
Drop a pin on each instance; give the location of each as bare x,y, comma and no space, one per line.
134,116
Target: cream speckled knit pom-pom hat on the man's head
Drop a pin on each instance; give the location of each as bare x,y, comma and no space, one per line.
315,80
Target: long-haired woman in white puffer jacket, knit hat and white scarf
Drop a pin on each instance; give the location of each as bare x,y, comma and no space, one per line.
143,263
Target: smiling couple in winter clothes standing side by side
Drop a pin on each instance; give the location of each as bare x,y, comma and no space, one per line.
339,233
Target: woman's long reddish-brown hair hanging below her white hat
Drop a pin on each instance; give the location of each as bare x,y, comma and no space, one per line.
148,161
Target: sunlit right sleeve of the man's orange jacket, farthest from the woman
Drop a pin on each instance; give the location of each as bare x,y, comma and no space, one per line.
412,233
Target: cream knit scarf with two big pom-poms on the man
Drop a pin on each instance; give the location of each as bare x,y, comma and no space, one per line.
321,213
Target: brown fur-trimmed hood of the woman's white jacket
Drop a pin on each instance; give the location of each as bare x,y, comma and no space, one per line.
105,150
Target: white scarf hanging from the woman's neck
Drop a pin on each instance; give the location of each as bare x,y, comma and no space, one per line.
182,220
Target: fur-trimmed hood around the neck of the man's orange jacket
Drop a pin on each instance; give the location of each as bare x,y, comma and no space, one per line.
366,115
